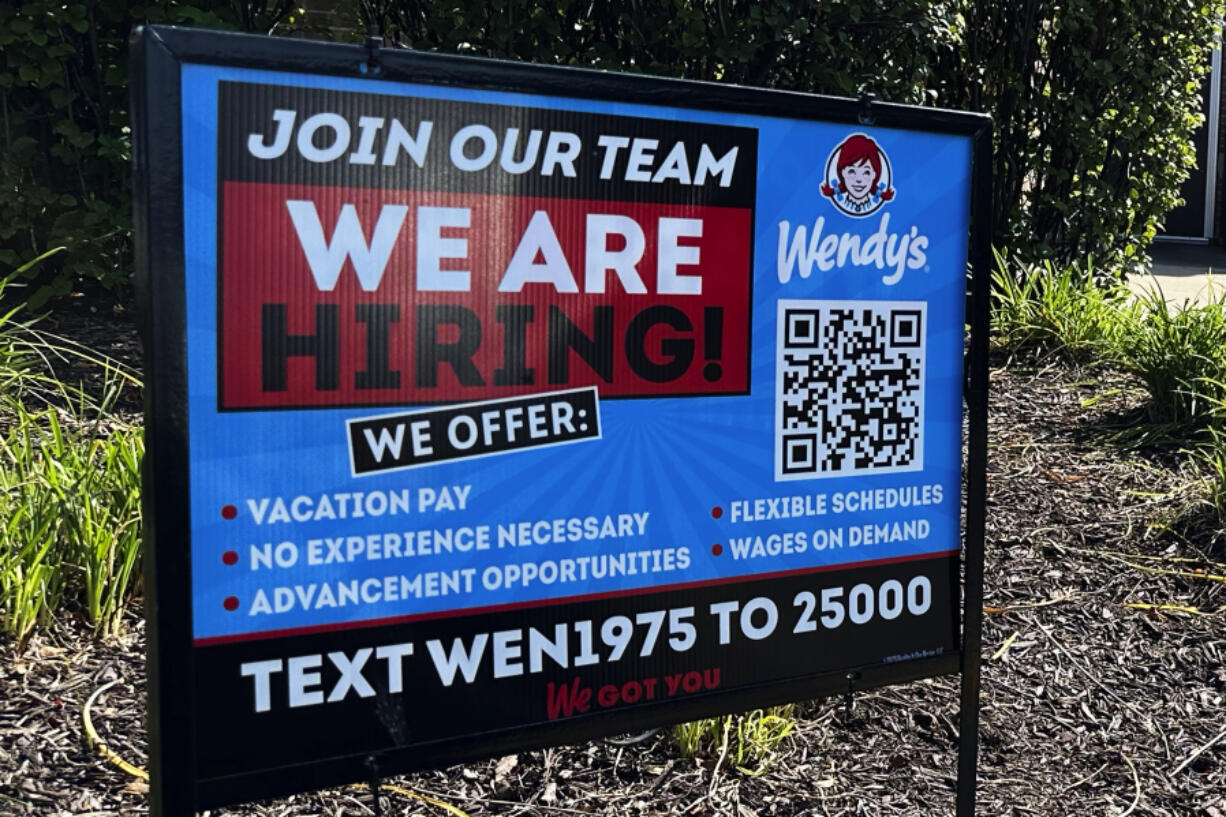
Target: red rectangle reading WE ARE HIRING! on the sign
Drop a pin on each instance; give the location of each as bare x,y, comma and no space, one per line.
341,296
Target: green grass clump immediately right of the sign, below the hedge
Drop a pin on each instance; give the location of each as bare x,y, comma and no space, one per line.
1061,312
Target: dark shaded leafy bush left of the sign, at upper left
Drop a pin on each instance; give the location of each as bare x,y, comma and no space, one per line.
64,136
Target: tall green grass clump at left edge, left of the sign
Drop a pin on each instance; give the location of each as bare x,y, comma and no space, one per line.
69,489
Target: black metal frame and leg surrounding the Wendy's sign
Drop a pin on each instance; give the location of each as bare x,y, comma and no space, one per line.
177,788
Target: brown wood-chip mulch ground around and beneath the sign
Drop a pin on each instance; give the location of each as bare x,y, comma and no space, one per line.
1104,675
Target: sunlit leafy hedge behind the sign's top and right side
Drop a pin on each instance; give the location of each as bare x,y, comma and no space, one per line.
1095,101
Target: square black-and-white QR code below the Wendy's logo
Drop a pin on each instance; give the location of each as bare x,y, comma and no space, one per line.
850,388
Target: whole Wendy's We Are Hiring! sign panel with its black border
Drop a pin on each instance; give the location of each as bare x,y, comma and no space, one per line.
496,407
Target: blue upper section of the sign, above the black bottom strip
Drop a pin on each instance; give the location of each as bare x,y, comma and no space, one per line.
832,439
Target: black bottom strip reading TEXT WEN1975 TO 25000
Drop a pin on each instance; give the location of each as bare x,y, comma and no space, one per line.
291,715
